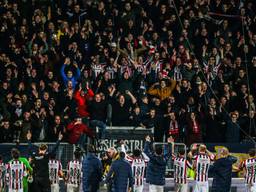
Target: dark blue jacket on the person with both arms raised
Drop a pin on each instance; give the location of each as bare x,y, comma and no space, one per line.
156,166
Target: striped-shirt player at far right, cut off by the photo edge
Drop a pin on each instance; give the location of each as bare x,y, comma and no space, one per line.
250,172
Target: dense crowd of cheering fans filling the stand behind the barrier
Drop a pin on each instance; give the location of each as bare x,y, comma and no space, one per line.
185,68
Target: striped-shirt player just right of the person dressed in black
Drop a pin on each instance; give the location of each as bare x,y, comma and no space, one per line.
55,172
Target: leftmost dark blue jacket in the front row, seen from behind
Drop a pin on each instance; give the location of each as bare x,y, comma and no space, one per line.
92,173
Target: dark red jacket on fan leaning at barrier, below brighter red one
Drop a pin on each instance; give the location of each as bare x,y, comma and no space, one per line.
76,130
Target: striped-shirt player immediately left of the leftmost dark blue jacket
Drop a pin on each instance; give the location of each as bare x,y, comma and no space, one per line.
74,172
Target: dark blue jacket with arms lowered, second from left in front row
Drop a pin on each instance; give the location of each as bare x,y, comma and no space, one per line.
121,175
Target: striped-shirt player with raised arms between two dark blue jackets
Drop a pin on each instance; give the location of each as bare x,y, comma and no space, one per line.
138,161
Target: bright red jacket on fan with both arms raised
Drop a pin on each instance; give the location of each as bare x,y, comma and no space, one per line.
82,102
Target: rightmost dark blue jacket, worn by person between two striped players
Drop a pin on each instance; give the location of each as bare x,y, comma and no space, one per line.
222,174
